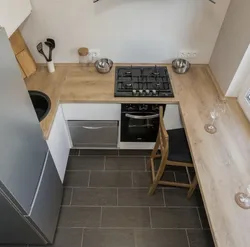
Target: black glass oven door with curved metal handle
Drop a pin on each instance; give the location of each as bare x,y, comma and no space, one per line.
139,127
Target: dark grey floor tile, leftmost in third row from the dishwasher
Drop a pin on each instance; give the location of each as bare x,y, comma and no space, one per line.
76,178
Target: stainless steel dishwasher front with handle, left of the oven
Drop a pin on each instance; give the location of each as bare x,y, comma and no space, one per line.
94,133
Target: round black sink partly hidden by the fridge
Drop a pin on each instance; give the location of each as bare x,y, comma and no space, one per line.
41,103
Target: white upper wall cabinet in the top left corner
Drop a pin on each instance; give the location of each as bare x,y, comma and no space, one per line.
13,13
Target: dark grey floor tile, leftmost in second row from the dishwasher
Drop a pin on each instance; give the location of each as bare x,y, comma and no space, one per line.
86,163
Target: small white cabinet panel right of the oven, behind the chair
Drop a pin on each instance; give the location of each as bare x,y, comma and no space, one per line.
172,117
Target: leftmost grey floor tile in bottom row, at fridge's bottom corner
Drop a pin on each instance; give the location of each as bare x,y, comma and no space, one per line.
66,237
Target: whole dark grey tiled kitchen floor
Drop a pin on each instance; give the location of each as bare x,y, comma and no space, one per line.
106,204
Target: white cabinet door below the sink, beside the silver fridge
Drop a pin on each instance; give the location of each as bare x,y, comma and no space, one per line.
59,143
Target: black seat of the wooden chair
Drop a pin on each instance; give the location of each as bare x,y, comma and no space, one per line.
178,146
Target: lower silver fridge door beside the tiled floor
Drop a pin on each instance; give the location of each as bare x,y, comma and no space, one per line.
46,207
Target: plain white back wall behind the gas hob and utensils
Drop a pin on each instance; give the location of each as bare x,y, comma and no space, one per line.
126,30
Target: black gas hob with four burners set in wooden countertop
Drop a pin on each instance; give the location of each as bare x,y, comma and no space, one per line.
142,81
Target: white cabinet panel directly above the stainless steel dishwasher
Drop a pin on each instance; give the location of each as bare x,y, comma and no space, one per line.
93,111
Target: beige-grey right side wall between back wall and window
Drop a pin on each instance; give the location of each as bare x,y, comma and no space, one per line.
231,45
